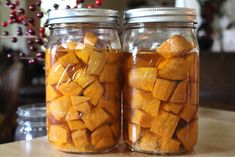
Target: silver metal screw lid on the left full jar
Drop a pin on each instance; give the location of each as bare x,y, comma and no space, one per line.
83,16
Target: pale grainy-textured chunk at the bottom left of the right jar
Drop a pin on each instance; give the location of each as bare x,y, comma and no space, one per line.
150,141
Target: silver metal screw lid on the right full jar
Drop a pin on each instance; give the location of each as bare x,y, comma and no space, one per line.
160,15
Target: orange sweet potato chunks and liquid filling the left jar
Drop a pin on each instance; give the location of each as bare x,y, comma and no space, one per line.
83,96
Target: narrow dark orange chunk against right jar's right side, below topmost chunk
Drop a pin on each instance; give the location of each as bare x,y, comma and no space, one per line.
193,63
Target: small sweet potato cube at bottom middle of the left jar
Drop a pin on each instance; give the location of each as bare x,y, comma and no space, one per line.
80,139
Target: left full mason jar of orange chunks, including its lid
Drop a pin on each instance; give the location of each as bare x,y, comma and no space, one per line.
82,84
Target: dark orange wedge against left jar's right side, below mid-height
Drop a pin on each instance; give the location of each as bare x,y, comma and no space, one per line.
110,107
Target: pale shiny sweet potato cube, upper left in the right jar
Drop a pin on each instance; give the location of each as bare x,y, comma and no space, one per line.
143,78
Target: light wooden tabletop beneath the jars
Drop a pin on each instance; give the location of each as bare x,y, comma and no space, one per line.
216,139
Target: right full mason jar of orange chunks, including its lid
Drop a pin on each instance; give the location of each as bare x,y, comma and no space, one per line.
161,77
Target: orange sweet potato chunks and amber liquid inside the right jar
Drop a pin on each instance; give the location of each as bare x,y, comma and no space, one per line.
161,98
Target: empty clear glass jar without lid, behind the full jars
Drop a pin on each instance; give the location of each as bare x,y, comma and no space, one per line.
31,122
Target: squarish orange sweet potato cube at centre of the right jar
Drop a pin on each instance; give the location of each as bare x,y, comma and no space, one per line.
163,89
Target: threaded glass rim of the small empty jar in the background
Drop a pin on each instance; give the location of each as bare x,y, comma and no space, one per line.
32,110
